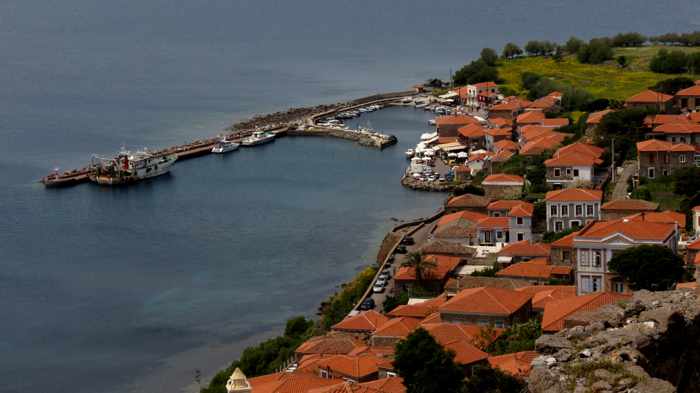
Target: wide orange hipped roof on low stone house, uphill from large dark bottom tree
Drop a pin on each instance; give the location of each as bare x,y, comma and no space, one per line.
485,300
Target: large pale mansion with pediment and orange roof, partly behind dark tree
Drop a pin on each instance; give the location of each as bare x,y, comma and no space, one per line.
597,243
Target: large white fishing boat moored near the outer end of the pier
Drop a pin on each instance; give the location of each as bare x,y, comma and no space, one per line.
128,167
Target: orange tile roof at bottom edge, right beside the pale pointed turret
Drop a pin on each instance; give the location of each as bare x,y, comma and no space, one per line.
298,382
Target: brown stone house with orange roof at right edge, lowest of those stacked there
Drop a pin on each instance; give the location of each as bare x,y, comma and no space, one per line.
661,158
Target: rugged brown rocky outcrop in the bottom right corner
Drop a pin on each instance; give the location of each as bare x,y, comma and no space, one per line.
649,344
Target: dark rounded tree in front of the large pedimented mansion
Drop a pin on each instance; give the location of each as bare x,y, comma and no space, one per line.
650,267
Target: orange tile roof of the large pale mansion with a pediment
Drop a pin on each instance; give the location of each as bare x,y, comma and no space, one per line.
654,231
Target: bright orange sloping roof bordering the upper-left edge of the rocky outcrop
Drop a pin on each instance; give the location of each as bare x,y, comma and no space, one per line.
556,312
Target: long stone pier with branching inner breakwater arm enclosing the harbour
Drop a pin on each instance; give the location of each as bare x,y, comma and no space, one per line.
290,123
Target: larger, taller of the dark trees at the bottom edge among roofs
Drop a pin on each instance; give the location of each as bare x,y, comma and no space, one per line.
425,366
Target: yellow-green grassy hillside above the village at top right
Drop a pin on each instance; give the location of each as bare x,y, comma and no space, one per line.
603,81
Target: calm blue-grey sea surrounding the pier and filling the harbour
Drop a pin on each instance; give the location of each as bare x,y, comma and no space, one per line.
133,289
